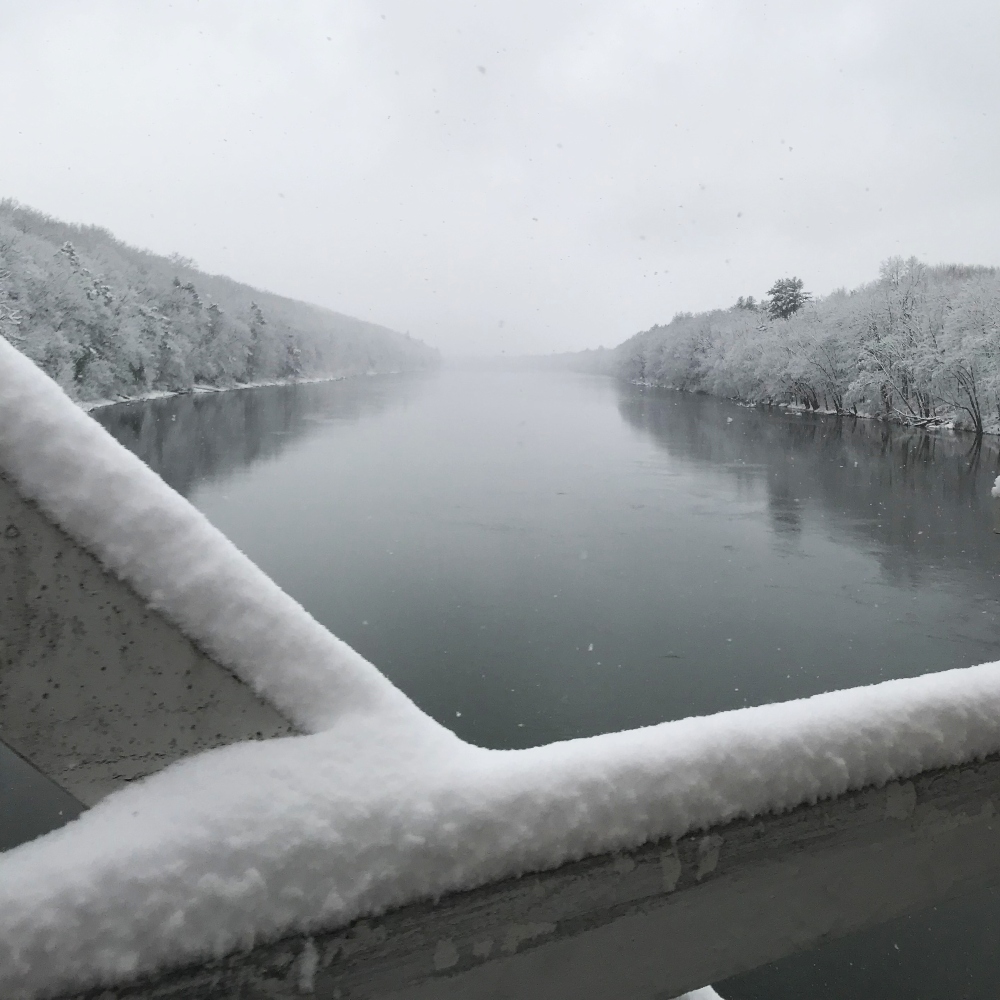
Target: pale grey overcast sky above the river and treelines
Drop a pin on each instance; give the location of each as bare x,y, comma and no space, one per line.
519,176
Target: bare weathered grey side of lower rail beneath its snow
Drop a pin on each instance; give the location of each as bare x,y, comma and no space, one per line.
646,924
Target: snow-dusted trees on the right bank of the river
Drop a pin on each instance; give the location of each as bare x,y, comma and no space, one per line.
919,345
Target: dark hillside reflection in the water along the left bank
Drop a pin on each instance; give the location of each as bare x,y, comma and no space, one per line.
187,439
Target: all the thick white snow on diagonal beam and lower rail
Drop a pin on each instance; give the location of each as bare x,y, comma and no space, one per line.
379,805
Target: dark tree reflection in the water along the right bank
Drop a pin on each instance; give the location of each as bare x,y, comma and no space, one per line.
919,500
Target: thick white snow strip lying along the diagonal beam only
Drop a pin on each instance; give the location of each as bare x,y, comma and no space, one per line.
108,500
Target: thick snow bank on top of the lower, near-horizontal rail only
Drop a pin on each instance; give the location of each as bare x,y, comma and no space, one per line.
256,840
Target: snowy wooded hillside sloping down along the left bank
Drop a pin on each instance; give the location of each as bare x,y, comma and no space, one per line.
108,321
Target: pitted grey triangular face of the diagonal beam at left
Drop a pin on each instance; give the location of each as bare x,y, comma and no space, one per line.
97,689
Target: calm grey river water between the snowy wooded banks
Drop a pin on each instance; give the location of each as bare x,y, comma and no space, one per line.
538,556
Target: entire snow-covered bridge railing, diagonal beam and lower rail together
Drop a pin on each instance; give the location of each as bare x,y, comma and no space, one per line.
650,862
